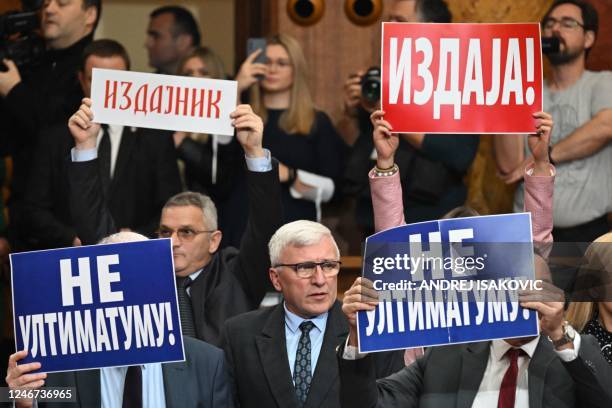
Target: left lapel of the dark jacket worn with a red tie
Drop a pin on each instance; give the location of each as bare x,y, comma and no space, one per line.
474,358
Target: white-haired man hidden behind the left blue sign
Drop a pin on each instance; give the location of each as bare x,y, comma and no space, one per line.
200,380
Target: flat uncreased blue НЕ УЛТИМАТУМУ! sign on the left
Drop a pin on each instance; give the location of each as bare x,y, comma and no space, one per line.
97,306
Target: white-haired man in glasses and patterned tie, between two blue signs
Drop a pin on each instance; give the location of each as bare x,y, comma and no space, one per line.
284,356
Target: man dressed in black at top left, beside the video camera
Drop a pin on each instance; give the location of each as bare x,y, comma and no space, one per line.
33,96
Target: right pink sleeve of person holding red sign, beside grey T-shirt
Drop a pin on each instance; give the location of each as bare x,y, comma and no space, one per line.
539,202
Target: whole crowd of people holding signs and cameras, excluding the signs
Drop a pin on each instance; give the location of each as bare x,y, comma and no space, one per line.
244,216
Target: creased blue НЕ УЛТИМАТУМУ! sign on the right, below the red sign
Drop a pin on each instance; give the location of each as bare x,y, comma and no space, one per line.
449,281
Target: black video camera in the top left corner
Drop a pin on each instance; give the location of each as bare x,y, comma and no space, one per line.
19,40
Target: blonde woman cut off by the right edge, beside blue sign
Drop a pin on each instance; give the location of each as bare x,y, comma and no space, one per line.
591,312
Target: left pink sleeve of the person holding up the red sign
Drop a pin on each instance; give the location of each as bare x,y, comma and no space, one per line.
387,201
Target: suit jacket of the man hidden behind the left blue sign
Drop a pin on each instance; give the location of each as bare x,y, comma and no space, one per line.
199,381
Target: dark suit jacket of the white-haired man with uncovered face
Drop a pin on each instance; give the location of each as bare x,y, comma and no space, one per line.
255,347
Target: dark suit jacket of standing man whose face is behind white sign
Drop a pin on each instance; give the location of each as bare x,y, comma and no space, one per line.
145,176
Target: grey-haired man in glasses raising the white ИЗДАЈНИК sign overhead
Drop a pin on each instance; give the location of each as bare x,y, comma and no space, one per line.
213,285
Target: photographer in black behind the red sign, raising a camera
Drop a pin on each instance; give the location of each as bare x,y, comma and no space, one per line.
433,182
